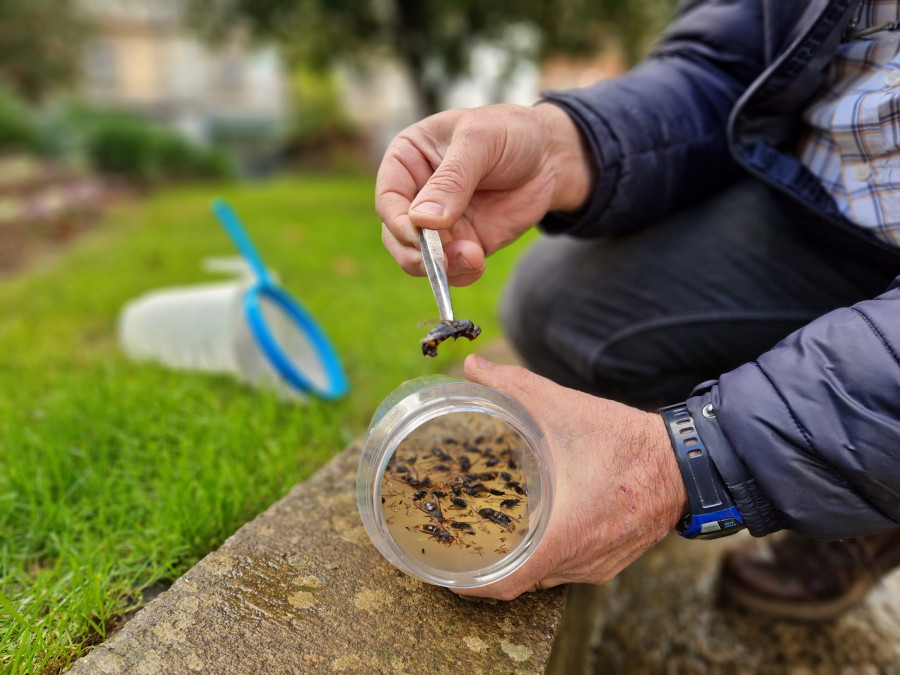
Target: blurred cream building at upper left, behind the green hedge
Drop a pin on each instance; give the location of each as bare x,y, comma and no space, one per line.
142,58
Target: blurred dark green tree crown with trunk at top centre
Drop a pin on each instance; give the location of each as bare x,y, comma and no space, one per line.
433,38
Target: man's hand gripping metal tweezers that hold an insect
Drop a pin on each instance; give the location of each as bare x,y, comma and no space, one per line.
482,177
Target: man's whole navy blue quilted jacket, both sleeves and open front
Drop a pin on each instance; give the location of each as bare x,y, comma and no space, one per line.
807,437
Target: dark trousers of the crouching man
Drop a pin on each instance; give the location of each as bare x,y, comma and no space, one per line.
644,317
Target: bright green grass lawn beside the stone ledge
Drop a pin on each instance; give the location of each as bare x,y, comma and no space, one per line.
116,475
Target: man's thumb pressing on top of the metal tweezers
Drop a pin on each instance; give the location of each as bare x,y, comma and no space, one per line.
447,193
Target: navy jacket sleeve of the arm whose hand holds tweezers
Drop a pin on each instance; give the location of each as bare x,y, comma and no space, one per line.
658,132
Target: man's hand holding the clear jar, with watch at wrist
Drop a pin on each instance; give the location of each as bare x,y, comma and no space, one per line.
618,486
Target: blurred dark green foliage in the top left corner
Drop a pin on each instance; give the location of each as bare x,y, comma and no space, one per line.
41,45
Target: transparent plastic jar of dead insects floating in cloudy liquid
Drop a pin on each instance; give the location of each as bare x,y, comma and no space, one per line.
455,484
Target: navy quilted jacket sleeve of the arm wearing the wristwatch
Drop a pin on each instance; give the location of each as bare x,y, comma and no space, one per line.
808,436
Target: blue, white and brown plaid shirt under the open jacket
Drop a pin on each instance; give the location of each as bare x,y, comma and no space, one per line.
851,136
